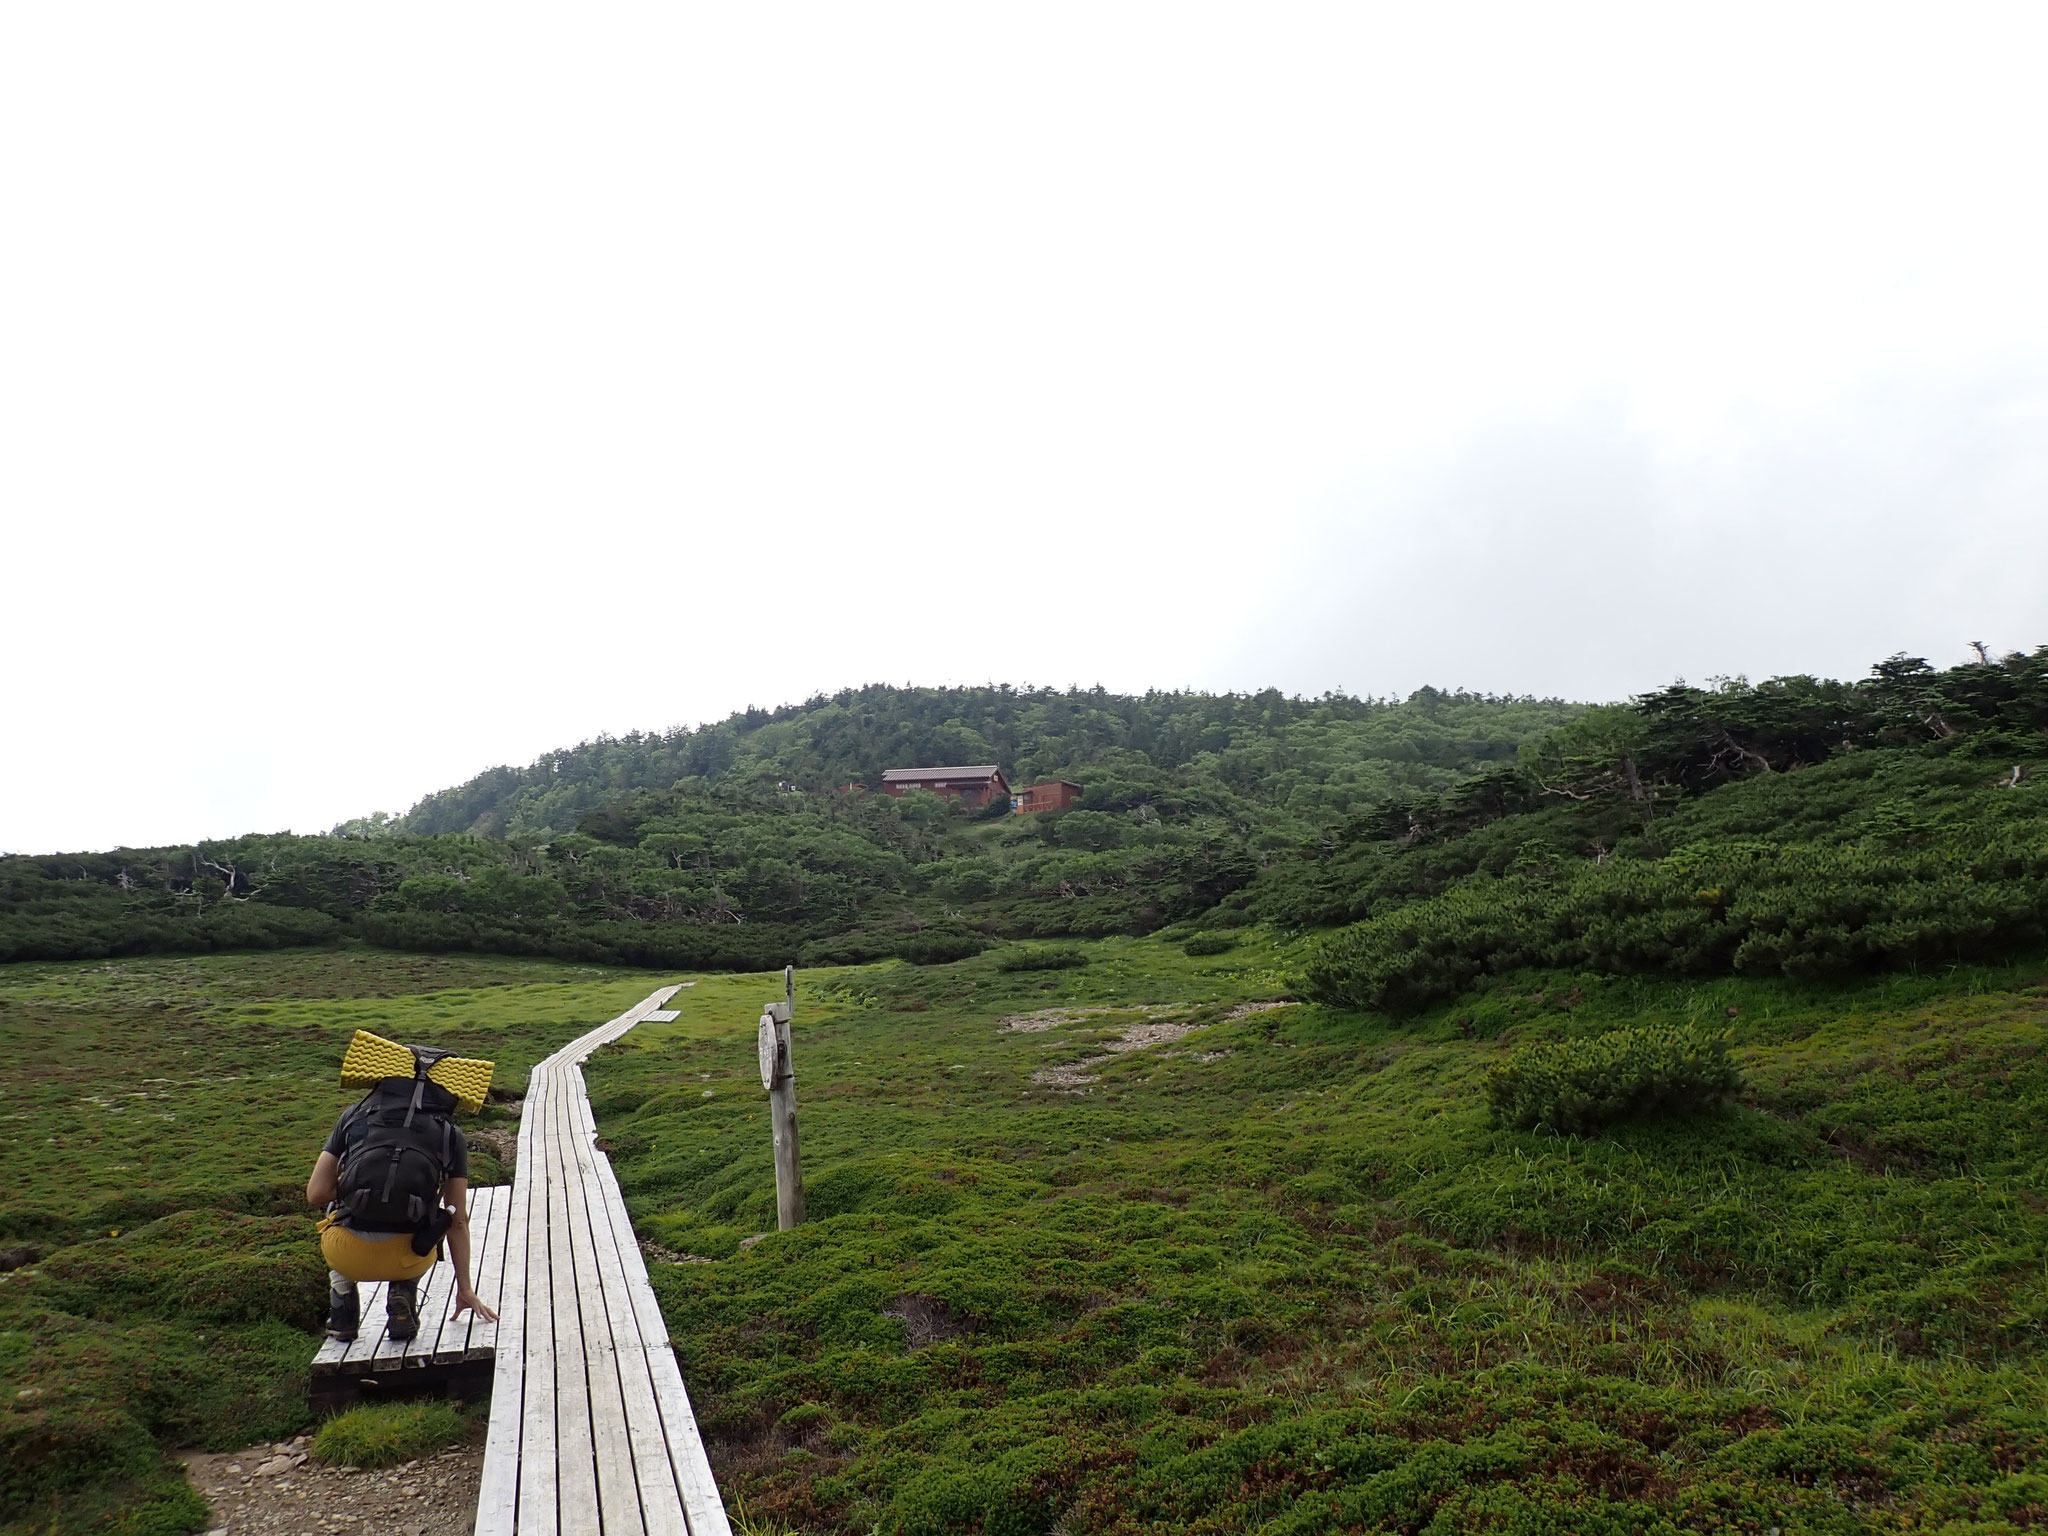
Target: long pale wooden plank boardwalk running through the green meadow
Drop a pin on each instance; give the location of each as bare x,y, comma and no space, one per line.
591,1428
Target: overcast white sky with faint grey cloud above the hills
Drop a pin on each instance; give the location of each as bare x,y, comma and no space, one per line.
388,392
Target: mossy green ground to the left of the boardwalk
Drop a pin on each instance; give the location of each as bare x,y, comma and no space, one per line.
159,1119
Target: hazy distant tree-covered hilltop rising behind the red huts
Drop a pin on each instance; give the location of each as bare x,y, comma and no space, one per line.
1310,761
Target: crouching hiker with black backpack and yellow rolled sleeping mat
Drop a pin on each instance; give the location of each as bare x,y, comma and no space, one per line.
394,1181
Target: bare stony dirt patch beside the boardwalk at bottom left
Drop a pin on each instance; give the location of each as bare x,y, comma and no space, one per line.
278,1490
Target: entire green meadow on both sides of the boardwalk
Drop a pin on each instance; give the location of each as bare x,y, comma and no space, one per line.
1109,1248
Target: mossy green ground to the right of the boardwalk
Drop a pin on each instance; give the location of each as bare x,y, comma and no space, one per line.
1279,1275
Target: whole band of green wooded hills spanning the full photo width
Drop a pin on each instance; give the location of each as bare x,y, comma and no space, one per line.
1795,826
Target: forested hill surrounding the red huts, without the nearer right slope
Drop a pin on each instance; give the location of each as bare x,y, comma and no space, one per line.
742,845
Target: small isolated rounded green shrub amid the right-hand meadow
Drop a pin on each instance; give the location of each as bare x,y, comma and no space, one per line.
1578,1086
